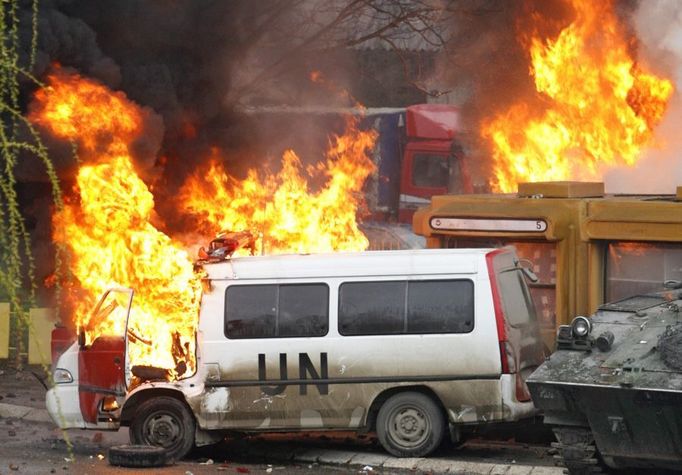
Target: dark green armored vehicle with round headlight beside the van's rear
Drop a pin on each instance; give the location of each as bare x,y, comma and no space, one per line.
613,389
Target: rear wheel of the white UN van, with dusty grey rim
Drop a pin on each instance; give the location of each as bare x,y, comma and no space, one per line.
410,424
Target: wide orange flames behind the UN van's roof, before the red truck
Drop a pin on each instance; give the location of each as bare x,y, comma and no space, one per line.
280,207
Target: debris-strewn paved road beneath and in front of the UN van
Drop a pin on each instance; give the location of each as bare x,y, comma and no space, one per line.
30,443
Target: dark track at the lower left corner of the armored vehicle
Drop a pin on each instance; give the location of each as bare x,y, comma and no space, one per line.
577,450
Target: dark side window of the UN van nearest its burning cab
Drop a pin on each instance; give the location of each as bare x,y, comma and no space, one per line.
271,310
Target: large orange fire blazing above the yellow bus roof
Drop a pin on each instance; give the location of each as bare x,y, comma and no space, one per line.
596,106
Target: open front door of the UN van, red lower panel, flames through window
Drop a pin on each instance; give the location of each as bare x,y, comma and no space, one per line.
101,363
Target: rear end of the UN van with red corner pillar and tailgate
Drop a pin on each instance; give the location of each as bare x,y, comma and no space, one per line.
521,346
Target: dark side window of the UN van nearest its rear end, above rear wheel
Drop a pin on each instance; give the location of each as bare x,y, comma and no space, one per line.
437,306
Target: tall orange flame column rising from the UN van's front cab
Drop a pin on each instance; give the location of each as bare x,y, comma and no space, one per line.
109,234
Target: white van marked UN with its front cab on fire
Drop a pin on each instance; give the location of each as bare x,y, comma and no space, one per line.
404,343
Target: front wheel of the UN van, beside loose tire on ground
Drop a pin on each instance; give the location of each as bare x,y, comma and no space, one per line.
164,422
